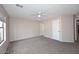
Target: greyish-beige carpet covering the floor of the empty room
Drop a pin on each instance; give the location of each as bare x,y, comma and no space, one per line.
42,45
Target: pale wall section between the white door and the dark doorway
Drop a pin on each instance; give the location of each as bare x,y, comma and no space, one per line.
67,28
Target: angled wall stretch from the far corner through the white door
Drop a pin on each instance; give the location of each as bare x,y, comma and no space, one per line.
51,28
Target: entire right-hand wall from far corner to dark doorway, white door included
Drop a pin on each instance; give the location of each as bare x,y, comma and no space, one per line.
65,31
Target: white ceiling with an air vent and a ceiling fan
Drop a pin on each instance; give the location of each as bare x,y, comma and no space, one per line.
50,10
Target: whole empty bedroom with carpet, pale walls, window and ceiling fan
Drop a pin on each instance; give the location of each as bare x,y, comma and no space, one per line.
39,28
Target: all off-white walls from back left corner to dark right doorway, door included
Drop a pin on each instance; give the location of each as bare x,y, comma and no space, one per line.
25,28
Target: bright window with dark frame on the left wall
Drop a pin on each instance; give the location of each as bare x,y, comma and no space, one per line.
2,31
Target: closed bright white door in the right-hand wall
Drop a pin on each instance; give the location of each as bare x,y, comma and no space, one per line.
55,29
